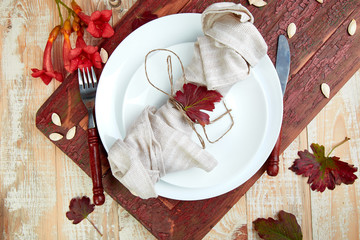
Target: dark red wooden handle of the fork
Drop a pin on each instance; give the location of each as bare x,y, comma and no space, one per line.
95,165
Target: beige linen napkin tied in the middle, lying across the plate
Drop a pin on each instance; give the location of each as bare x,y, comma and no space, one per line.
159,141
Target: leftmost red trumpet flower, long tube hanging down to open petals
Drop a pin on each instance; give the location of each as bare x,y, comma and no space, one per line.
48,73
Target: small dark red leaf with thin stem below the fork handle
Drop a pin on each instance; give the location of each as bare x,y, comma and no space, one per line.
80,208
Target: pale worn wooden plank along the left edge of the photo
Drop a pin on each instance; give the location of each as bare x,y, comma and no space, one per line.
21,177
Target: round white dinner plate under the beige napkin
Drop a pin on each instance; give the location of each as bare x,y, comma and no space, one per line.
256,104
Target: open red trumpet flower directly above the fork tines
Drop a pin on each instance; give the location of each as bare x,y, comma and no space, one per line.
84,56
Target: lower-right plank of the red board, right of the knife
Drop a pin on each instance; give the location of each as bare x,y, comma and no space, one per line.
334,63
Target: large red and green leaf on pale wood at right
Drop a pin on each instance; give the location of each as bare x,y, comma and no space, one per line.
323,171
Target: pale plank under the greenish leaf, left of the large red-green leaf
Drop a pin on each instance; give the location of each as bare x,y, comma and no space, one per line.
286,192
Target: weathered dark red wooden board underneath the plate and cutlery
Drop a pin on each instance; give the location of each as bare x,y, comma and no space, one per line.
321,51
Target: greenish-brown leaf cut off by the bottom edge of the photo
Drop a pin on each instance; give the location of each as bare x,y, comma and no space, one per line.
286,228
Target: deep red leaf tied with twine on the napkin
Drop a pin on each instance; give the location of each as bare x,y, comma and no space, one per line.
197,98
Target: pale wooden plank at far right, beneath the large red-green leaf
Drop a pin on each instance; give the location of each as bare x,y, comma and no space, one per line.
338,119
